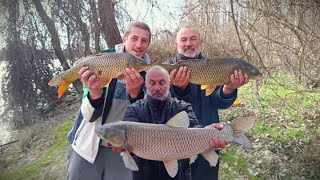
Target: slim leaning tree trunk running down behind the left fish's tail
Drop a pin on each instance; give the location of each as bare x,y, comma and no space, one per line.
55,40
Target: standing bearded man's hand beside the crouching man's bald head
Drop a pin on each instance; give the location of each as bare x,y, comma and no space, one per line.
180,78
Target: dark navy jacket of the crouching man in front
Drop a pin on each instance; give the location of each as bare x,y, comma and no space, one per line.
150,110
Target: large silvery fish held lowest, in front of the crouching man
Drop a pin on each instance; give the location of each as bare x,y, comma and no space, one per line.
171,141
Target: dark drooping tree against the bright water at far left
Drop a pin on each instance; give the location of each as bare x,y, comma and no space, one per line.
27,97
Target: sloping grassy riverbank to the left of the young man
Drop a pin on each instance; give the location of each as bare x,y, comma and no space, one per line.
41,152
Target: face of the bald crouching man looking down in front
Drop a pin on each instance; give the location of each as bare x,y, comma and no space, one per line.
158,84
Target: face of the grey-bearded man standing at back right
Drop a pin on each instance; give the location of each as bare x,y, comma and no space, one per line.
188,42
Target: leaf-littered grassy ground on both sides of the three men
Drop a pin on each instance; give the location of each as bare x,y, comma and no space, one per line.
285,140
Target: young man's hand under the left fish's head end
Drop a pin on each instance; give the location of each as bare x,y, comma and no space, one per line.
133,82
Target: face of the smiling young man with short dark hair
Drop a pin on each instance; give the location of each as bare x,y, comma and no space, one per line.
137,42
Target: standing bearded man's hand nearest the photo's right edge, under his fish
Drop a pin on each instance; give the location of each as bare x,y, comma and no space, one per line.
237,79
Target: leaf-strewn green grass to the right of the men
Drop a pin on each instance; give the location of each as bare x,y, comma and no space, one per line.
286,123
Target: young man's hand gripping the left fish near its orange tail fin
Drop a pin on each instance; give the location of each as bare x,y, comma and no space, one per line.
92,81
